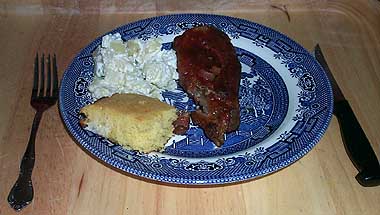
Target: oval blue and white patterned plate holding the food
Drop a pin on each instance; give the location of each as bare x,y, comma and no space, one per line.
285,103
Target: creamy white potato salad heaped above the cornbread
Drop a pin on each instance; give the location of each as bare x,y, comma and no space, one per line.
133,66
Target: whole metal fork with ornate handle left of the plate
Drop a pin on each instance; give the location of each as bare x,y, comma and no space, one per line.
43,97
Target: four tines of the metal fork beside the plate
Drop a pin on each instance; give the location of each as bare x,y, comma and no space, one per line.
41,79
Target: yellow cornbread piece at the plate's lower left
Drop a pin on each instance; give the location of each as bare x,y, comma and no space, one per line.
136,121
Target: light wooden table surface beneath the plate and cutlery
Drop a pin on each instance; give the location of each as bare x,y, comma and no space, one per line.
69,181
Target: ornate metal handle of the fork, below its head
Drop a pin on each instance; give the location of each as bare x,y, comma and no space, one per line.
22,193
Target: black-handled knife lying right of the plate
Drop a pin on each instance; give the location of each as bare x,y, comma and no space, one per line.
357,146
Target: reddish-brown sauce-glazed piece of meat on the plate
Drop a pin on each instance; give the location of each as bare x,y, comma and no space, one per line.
209,71
